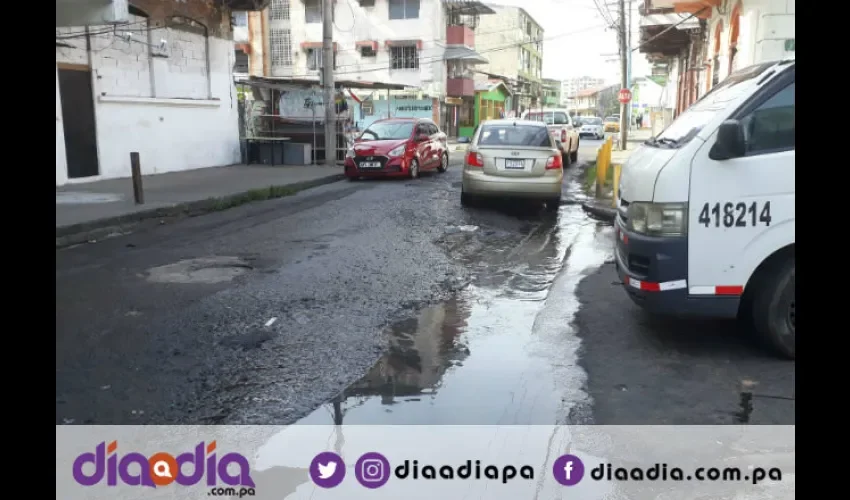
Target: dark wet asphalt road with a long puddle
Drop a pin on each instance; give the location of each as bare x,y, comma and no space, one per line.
385,302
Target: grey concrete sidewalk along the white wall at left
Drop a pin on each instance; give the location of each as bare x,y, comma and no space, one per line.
85,210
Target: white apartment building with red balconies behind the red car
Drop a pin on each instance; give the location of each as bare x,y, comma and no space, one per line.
426,45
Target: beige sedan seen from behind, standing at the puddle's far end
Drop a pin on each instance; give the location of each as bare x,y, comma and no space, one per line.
513,159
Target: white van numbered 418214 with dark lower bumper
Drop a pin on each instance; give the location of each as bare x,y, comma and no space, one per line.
706,217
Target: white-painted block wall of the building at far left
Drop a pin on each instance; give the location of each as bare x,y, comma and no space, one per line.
169,109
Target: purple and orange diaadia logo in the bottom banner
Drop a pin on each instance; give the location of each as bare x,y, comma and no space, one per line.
161,469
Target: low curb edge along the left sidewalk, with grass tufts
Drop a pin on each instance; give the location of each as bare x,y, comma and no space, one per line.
88,231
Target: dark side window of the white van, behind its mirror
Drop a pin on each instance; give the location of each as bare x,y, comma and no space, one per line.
771,126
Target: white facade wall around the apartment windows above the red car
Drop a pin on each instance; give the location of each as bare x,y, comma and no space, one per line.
354,23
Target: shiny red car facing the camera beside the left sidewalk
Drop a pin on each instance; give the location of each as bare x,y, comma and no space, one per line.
397,147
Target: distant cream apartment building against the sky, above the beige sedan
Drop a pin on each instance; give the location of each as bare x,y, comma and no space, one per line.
513,42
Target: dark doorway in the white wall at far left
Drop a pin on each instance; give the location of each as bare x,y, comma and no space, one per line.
76,95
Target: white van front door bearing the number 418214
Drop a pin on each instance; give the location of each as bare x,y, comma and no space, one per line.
742,208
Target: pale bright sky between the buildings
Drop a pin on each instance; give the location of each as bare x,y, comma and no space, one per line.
576,41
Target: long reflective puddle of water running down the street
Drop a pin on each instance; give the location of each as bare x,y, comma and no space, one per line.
503,351
